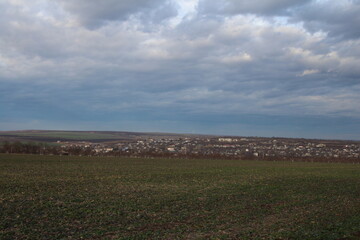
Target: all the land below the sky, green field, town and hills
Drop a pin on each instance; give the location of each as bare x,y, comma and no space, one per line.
127,193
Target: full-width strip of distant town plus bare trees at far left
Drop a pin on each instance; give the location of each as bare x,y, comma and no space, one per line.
250,148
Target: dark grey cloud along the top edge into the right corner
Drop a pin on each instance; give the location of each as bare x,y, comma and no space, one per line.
338,19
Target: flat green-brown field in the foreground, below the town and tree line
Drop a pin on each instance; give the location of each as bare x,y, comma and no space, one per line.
61,197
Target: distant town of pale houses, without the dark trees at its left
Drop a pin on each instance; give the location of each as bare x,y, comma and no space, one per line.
242,148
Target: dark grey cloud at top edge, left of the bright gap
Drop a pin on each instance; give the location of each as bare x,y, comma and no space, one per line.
93,14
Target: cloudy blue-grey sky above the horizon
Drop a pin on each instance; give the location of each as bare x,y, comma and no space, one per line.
274,68
